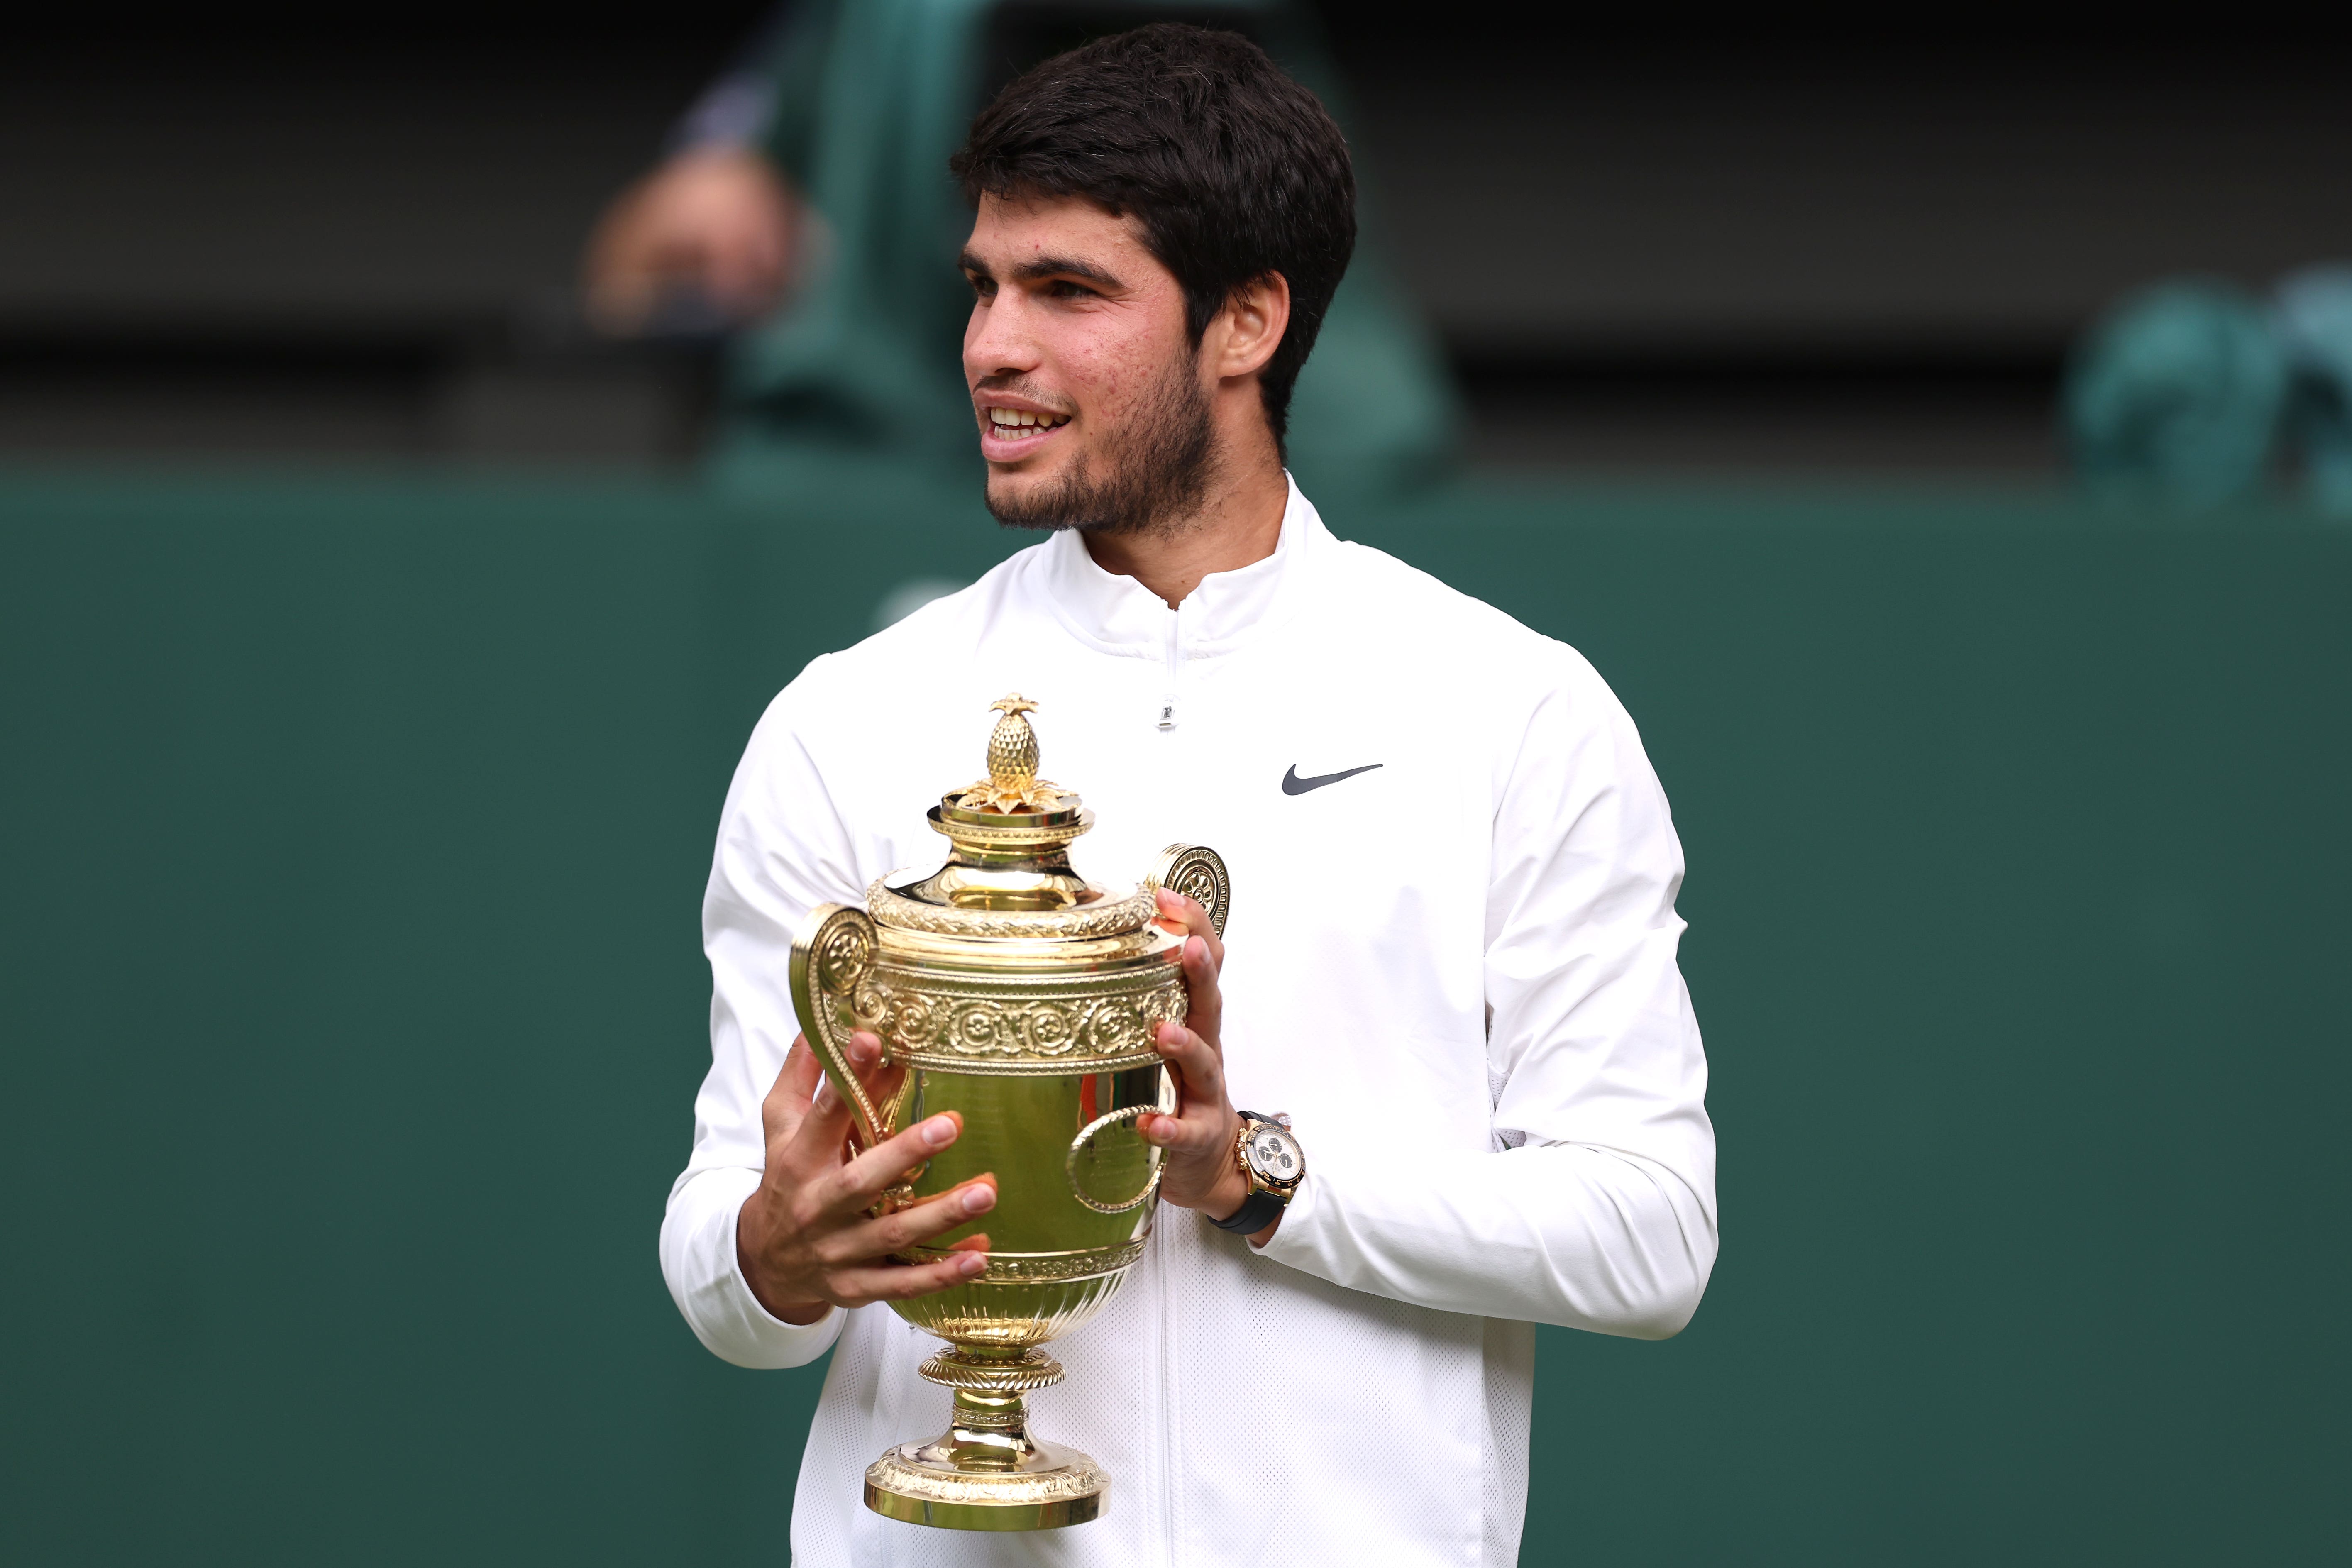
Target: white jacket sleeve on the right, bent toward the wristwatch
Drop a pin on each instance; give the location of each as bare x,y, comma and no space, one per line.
1596,1207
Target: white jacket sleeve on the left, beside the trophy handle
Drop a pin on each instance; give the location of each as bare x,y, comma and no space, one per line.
782,852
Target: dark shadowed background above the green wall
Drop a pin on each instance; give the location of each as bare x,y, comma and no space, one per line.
1728,248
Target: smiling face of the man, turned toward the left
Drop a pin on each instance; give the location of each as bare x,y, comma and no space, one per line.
1083,377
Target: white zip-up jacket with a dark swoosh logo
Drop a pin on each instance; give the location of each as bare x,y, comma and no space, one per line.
1455,972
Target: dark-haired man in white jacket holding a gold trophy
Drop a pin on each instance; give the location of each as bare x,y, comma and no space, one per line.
1452,944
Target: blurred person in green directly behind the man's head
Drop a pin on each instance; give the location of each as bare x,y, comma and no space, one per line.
806,210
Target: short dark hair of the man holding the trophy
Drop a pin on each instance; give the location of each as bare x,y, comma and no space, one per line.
1229,166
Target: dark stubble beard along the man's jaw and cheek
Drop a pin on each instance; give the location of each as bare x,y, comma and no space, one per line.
1147,483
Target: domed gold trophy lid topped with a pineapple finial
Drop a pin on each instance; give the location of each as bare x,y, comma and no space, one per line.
1013,831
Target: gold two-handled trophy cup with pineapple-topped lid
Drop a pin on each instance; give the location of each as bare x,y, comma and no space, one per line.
1027,998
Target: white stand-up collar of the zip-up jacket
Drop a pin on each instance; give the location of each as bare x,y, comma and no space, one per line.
1118,615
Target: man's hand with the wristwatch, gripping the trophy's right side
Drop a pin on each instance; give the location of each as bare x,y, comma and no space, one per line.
1201,1137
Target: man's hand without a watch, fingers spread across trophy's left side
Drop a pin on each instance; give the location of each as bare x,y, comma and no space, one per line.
806,1240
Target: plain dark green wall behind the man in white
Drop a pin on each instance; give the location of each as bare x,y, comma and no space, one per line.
352,838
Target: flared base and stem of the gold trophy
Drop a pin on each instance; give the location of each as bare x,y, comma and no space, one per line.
984,1473
